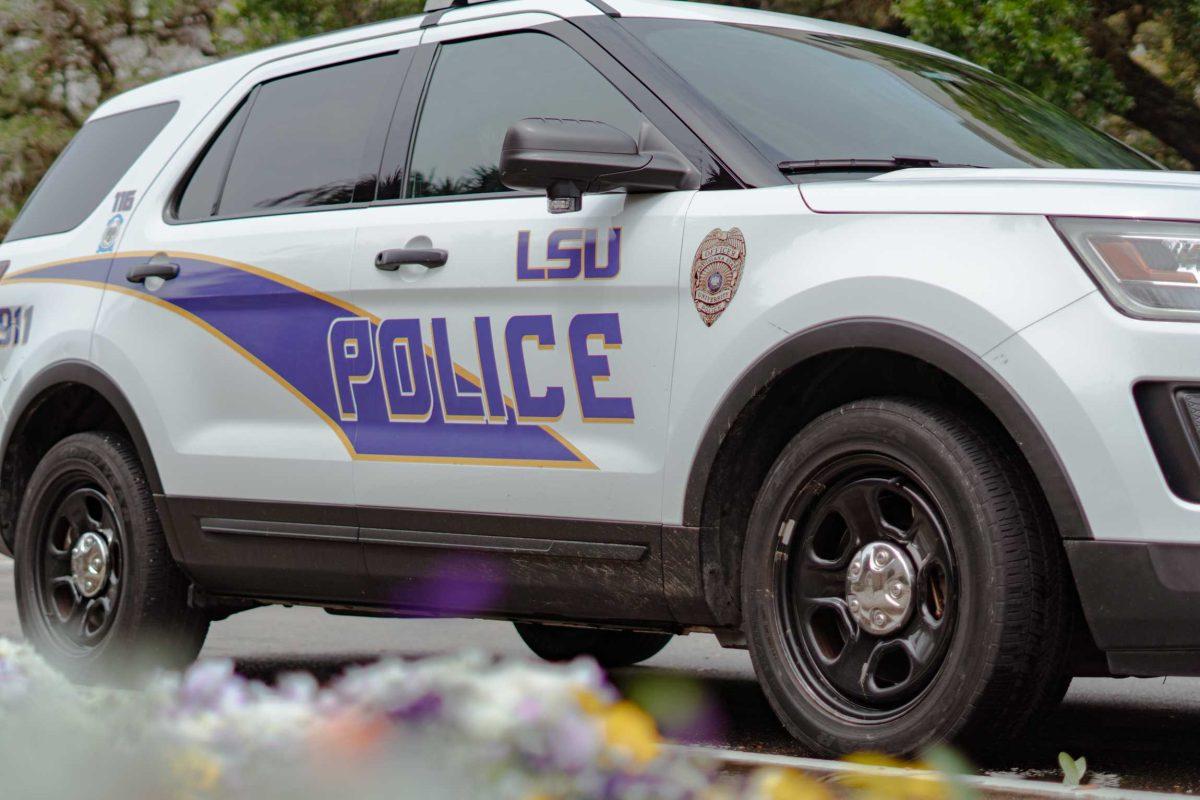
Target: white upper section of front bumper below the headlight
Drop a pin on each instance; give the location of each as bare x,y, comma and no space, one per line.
1077,372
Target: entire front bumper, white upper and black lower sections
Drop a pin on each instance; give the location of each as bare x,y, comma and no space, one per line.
1137,566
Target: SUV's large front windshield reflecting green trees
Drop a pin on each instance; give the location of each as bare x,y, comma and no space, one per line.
801,97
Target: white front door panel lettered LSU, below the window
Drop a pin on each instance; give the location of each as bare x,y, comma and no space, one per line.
533,396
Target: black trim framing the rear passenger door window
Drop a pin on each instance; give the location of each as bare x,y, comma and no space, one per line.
171,210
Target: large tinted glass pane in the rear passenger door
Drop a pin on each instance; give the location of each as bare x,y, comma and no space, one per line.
314,140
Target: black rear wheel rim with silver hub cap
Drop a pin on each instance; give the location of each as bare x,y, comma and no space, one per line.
76,598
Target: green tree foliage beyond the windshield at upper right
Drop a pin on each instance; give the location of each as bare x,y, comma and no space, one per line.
1131,68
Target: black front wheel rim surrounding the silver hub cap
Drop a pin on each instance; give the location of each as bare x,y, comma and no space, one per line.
844,508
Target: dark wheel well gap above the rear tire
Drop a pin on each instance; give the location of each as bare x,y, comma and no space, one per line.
57,413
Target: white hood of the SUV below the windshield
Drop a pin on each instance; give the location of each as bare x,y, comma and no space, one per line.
1061,193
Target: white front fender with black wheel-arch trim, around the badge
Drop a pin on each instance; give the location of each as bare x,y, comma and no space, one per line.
943,288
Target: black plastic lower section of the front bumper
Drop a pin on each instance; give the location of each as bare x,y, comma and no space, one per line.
1143,604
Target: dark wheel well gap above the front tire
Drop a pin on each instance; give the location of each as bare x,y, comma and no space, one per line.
776,414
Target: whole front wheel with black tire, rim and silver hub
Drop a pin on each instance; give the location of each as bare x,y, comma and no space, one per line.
961,636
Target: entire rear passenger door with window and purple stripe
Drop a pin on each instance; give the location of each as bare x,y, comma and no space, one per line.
225,346
